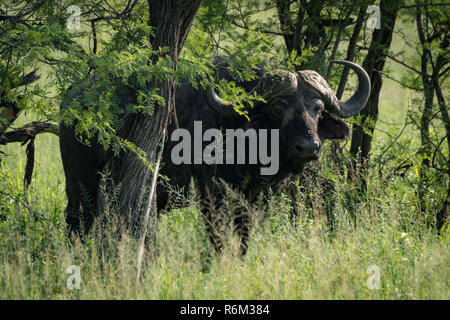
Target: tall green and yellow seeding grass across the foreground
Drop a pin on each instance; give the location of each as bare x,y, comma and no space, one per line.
305,260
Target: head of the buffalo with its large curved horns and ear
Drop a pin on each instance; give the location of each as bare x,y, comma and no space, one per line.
303,107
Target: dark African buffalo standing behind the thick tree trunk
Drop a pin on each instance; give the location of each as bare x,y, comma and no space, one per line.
300,105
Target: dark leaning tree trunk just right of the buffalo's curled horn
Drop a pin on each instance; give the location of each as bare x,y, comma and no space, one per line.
373,63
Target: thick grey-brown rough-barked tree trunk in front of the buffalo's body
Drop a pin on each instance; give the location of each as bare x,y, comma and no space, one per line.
172,21
